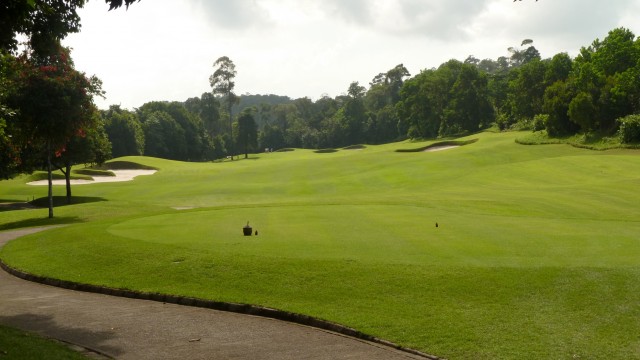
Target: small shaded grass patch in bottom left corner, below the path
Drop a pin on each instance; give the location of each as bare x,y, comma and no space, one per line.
20,345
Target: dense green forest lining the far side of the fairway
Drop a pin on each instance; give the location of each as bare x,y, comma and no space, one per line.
595,92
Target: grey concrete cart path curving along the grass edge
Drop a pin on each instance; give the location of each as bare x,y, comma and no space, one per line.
125,328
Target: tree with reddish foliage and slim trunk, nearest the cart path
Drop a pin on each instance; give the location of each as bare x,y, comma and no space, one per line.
54,103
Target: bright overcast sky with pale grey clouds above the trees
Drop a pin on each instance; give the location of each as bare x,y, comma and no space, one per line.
165,49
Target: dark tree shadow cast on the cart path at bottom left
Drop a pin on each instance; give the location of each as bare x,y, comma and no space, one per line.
49,327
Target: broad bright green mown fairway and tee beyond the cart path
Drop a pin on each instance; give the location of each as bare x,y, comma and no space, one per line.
535,254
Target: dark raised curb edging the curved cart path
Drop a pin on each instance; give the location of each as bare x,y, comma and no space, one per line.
214,305
